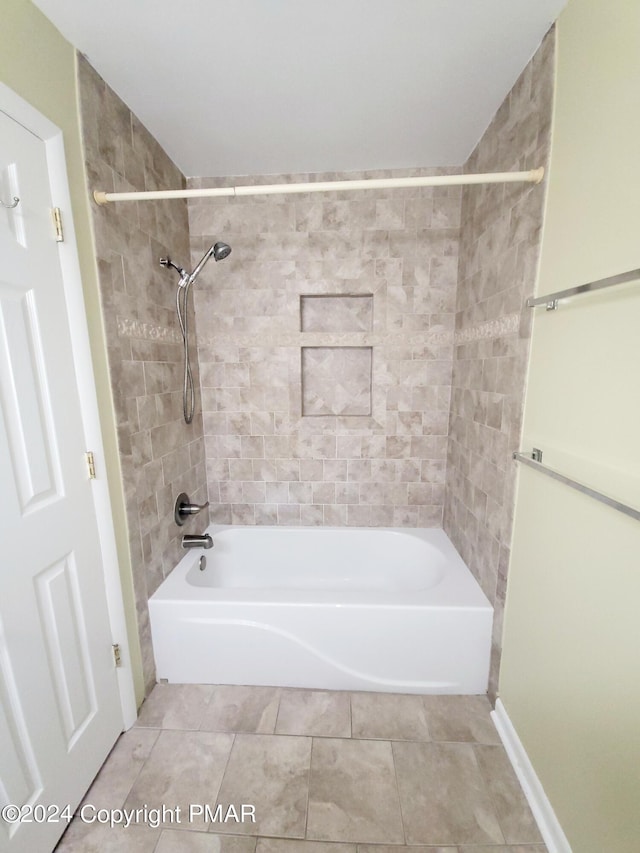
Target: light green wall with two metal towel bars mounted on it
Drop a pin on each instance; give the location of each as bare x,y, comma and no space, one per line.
570,676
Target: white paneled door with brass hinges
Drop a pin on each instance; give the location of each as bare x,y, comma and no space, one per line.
60,709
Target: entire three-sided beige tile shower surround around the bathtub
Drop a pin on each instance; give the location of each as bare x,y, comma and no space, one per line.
361,355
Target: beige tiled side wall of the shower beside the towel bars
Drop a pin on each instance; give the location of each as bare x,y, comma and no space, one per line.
499,247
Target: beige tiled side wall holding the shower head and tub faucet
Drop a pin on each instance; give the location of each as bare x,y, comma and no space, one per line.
160,455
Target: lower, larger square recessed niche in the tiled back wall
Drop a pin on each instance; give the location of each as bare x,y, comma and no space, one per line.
336,381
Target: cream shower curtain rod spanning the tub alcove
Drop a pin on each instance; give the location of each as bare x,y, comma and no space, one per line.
533,176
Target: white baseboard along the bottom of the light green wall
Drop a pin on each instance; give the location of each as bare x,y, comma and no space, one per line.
543,812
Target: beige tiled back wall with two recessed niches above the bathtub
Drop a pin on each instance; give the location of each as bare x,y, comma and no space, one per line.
371,447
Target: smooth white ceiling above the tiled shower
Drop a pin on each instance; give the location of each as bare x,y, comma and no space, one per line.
232,87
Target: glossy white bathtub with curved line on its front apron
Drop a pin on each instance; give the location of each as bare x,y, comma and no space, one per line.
338,608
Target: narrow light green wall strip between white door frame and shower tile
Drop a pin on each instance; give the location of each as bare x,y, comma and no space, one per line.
39,65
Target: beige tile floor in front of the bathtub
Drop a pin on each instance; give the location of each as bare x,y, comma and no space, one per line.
327,772
